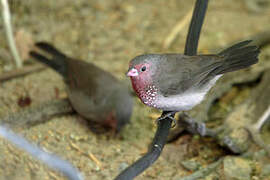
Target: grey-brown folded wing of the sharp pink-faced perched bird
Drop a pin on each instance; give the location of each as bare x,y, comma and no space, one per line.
180,73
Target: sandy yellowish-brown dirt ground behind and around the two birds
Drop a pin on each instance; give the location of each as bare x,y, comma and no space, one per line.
109,34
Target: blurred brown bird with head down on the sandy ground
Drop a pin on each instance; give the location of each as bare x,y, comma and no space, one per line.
94,93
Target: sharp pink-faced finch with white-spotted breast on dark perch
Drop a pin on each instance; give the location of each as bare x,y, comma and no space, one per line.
176,82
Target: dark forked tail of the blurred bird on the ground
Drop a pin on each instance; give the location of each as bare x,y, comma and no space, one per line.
51,57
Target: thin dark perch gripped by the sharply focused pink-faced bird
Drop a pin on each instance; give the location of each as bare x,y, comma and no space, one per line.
164,125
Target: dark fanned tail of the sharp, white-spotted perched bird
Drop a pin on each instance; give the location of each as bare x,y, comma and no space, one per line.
237,57
